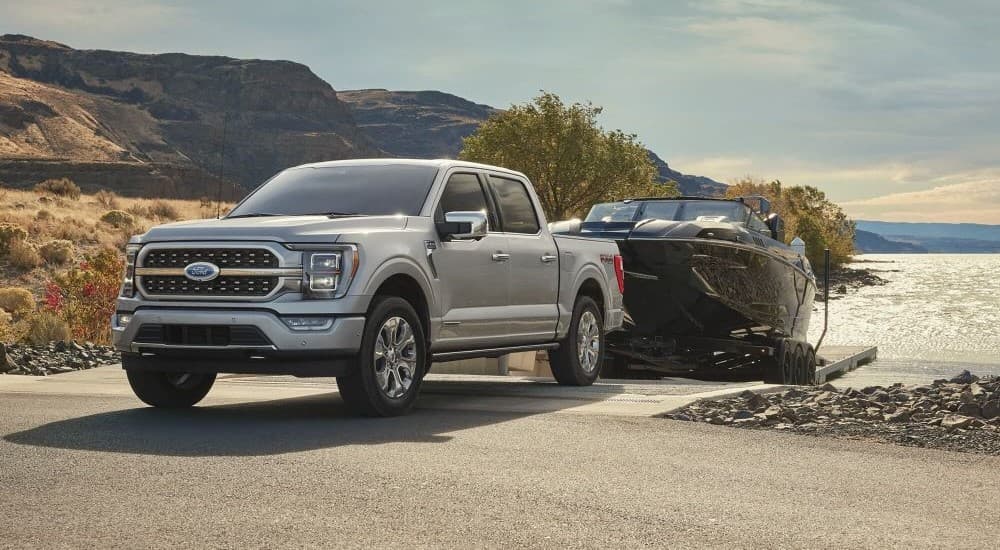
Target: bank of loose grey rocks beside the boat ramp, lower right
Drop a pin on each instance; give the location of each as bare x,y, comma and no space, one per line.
960,414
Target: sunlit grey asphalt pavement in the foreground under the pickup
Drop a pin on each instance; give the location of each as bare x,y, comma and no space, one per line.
279,468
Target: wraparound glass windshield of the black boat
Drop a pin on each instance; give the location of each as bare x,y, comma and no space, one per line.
676,210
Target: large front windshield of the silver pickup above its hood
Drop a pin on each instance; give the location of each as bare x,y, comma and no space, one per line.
342,190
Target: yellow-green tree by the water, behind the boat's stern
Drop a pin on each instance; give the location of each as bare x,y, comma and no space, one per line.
808,214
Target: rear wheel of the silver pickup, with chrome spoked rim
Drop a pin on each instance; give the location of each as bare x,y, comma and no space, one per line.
576,362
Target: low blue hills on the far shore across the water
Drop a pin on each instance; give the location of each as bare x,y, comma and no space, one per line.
937,237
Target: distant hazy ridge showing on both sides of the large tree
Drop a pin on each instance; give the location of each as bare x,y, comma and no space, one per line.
432,124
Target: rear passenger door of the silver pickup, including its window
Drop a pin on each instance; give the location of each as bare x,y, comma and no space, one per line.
534,262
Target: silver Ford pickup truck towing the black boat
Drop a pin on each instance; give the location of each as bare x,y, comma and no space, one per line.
367,270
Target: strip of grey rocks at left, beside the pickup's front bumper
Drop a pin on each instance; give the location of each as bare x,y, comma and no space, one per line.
54,358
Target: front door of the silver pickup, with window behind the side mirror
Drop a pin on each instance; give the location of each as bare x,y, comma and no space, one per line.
473,275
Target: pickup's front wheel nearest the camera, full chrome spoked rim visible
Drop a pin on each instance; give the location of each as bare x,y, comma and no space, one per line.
391,363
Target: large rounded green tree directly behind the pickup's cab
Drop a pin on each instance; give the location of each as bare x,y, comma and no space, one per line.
572,161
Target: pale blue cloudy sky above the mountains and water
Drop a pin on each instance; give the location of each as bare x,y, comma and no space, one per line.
891,107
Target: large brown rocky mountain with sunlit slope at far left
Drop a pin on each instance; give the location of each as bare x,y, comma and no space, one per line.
158,124
